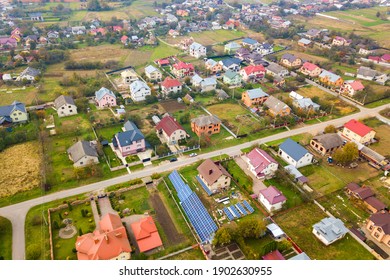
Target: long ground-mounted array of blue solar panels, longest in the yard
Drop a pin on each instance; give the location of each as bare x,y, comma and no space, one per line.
193,207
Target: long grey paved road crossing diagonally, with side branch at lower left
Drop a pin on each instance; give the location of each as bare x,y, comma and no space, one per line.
17,213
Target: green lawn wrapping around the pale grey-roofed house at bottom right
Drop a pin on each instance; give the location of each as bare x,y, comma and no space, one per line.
298,222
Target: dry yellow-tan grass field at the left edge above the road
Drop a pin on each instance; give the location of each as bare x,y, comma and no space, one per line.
20,167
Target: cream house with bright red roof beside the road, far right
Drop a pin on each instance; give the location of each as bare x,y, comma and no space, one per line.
358,132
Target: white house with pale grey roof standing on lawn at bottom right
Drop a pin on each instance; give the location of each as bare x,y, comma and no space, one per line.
329,230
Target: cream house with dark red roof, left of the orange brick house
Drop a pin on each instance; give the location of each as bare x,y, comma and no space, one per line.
170,130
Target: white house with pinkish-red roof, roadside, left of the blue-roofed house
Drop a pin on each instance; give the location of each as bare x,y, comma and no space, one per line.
261,164
